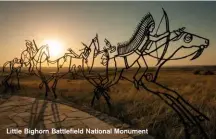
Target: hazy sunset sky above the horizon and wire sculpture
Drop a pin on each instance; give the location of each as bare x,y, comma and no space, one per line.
74,22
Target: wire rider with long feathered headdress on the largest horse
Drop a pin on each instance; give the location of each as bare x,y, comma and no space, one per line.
140,43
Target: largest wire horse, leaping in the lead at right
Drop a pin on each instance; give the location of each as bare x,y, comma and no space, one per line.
138,48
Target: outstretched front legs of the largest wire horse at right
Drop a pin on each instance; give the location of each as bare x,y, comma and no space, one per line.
189,115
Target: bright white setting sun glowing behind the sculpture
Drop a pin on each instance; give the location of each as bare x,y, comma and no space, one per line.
55,48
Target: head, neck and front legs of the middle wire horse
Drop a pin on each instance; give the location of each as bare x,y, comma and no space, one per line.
96,79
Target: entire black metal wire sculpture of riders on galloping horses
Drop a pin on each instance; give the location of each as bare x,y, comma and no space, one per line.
139,46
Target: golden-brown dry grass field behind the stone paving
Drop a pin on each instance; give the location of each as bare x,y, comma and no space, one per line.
140,108
